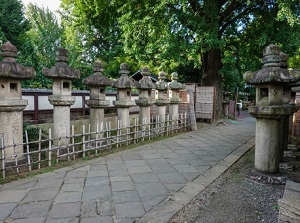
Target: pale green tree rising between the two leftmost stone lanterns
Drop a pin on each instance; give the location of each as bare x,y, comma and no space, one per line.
40,43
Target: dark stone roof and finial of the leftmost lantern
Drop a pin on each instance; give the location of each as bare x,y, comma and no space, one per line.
9,68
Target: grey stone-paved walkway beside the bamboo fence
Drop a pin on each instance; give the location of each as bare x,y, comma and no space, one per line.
149,183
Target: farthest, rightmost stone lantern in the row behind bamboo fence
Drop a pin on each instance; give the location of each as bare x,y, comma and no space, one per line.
174,87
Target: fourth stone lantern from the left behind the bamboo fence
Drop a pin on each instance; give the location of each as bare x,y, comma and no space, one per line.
124,102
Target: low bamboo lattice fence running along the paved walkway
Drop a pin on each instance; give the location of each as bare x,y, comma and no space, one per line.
46,151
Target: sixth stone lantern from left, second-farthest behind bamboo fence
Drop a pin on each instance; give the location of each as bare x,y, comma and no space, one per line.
161,95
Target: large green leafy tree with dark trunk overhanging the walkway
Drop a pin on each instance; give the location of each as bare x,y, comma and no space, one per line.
211,40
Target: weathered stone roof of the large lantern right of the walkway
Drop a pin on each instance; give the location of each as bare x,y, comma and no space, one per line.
274,69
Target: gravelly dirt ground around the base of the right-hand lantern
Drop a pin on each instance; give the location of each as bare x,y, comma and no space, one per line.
235,198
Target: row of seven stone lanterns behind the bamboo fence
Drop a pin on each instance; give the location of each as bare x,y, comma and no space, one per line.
12,104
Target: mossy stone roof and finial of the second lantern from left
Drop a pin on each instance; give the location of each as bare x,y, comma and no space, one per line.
61,70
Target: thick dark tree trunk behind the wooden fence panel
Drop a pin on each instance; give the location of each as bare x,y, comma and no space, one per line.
210,76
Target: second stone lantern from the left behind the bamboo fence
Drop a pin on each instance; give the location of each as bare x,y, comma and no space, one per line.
61,98
